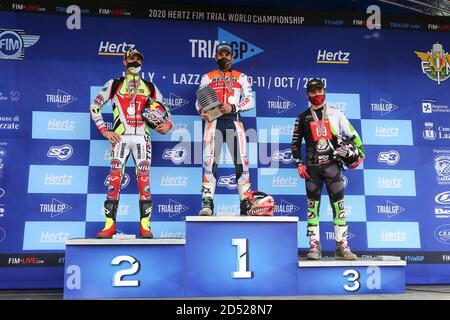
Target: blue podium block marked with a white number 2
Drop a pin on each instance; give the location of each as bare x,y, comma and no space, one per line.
130,268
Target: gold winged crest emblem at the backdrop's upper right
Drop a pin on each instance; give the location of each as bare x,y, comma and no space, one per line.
435,63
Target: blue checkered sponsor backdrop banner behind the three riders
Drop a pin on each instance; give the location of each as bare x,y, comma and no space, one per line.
54,162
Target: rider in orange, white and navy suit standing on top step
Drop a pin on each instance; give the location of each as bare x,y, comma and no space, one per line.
234,91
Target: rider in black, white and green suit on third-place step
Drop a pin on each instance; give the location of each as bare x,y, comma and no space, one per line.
321,127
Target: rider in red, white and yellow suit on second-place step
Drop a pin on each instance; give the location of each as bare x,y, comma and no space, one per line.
129,96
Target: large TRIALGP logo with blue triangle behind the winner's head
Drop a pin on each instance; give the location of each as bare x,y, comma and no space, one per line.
242,49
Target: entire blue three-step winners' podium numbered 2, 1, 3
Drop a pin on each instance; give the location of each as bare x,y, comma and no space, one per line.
221,256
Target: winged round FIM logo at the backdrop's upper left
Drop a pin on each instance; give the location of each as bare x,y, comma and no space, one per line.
14,42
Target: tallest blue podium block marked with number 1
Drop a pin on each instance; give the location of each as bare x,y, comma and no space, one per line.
241,256
